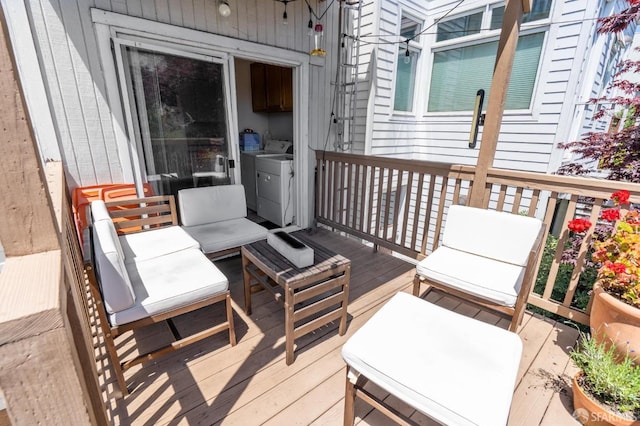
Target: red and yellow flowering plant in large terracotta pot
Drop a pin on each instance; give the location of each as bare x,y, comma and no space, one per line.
615,310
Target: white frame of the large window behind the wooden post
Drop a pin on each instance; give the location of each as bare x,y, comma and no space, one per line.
486,36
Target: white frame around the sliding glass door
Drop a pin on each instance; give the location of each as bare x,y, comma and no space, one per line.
211,45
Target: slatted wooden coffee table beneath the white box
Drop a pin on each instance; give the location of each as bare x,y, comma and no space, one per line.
312,296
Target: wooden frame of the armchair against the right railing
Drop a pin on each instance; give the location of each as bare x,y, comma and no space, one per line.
517,312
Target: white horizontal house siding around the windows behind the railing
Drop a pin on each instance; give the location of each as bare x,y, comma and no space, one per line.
528,139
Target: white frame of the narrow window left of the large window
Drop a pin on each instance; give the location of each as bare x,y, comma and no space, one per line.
414,46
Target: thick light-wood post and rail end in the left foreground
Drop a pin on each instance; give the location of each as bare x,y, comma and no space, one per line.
40,372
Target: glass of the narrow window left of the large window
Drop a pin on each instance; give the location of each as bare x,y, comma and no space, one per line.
407,62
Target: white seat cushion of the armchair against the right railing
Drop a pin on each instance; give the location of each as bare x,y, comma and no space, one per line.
495,281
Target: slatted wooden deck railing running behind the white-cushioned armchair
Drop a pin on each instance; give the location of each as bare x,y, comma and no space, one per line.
402,205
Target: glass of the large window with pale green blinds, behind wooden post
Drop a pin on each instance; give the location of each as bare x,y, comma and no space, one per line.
458,71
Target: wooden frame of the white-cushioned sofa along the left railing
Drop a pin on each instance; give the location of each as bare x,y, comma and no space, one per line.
149,215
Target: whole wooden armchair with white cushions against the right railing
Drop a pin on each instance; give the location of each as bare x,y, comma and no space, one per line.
487,257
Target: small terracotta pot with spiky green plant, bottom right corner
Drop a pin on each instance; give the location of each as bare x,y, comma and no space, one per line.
607,390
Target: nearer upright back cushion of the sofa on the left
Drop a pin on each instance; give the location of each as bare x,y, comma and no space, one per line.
117,291
